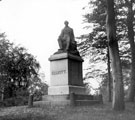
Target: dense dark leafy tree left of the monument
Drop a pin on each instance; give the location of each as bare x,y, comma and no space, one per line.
17,66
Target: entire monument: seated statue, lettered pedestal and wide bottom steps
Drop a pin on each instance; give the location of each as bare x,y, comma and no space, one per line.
66,83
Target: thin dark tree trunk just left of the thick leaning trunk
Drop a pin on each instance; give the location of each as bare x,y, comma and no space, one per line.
109,90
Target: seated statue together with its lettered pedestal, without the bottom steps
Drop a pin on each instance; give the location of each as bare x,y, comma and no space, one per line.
66,66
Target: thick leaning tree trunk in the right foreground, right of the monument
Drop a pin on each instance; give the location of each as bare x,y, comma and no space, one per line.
118,91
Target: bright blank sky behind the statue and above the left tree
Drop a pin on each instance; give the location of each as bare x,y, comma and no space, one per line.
36,24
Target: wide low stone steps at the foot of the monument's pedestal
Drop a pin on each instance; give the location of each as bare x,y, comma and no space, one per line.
78,100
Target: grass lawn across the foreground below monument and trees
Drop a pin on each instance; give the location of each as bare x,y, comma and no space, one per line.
47,112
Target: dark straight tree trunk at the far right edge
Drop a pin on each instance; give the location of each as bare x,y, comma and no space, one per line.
130,19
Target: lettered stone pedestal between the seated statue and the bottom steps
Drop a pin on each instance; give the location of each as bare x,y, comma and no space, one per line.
65,74
